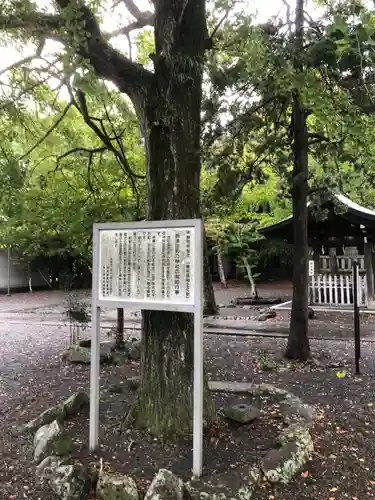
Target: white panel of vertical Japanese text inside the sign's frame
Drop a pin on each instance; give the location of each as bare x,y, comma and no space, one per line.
147,265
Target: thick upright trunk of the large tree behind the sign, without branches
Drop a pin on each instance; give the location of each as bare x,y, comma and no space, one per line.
172,121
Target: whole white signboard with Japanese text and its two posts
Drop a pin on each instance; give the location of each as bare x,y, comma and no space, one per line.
153,265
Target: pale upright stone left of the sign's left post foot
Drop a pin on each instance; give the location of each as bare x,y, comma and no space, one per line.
51,440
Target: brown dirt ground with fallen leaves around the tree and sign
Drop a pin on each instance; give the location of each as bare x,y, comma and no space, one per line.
33,378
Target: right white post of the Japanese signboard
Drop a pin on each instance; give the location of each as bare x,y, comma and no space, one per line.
198,356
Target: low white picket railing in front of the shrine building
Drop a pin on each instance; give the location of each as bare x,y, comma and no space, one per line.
336,290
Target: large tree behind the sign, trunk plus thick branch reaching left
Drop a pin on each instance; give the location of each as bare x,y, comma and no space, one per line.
167,102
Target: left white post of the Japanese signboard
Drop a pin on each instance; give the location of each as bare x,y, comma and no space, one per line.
95,348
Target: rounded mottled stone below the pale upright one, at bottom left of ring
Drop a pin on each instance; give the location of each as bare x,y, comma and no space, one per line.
69,481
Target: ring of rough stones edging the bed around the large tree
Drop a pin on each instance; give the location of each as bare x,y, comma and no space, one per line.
279,465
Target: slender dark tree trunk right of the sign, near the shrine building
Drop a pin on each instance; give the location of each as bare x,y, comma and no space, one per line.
298,344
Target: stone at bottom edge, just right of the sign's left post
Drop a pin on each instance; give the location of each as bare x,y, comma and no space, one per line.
116,487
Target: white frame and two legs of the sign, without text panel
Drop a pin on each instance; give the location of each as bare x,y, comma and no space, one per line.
196,225
